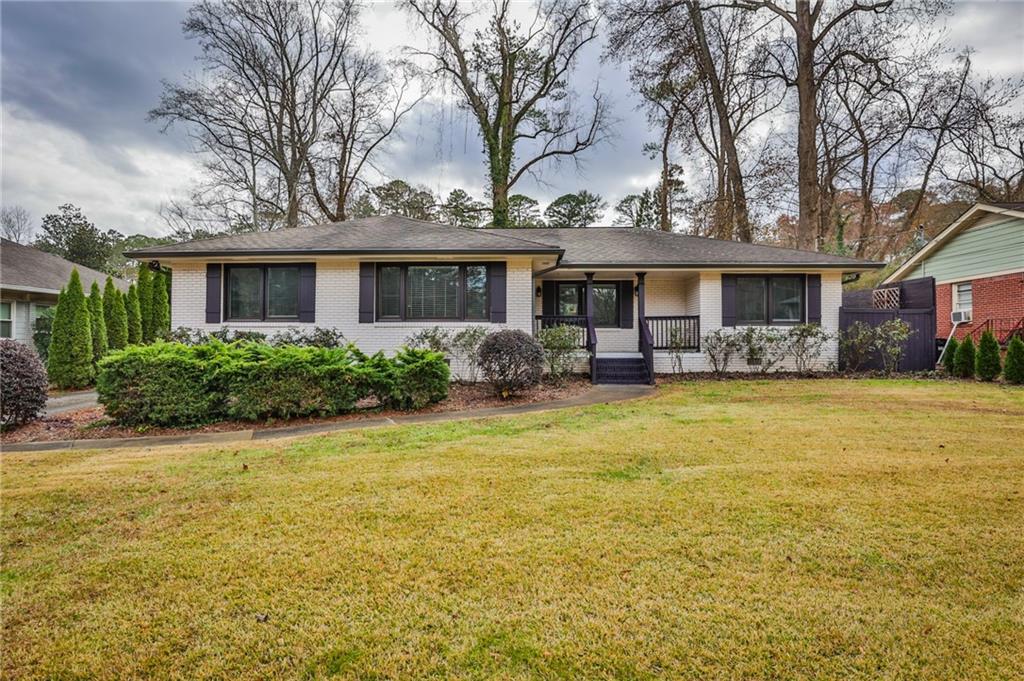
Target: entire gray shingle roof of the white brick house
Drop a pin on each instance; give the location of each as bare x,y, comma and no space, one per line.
598,247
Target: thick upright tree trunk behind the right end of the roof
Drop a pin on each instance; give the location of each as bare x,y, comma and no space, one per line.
807,152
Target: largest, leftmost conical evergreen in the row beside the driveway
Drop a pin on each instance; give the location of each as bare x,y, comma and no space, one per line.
70,363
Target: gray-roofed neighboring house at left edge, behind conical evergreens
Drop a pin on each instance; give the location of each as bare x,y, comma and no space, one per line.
30,282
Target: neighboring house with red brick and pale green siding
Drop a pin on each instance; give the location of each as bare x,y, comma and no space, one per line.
978,267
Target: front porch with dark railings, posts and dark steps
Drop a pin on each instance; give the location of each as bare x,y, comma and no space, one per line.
625,321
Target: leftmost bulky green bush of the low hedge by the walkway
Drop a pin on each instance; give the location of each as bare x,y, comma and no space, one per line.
163,385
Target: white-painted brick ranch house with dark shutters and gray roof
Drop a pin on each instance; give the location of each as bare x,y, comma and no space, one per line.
380,280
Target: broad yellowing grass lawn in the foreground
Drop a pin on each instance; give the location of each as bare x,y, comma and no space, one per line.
823,529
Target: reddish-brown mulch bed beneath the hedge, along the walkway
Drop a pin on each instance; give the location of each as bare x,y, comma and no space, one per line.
94,424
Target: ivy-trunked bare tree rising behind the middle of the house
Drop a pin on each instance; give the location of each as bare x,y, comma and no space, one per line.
514,79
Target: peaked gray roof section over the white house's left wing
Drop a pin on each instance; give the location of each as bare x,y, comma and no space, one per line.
382,235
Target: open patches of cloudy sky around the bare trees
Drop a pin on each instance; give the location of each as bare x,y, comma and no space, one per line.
78,79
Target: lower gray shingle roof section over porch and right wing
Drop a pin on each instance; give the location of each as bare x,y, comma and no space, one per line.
613,246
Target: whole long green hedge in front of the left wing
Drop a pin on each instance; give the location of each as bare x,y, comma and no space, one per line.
175,385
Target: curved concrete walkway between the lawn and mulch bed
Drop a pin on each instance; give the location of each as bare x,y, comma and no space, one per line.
599,395
